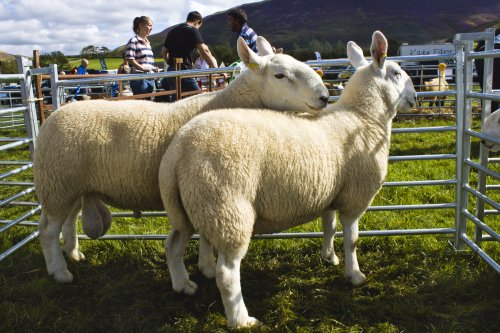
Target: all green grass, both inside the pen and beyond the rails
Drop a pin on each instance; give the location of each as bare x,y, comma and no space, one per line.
415,283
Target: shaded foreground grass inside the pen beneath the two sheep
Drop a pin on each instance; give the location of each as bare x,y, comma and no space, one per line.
126,288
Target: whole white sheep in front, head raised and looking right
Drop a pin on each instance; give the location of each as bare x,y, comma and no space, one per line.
229,175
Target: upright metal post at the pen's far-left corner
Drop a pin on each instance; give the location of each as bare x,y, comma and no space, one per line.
30,118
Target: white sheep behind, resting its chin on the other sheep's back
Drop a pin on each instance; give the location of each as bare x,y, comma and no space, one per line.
100,151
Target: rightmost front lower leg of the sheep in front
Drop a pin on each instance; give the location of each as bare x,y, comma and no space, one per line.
352,271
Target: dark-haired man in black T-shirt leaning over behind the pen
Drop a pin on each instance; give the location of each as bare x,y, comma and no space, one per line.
181,41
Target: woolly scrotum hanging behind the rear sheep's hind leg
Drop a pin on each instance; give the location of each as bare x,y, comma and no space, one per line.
96,217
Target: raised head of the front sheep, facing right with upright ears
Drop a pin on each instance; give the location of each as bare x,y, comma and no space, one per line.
389,79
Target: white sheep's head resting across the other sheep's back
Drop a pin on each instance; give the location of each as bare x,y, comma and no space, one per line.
283,83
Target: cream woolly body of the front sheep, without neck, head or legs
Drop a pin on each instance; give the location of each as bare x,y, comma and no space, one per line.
290,169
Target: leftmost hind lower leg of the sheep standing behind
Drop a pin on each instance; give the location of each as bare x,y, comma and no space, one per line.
49,230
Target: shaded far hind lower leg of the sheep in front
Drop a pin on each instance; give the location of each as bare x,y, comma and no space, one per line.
175,246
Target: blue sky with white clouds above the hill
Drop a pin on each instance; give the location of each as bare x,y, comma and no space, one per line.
69,25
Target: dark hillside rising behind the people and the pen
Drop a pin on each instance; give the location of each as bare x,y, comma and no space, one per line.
295,24
